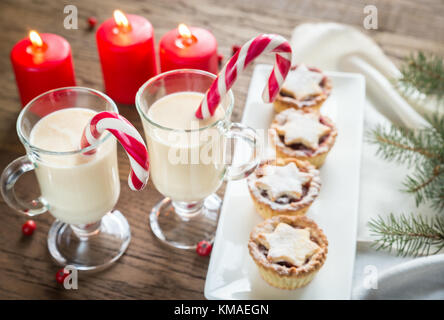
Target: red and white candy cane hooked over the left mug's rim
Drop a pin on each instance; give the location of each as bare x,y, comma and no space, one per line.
128,137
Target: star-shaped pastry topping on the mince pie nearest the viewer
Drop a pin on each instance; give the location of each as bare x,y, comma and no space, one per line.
288,244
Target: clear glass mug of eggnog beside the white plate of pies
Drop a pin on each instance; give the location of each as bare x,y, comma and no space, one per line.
189,211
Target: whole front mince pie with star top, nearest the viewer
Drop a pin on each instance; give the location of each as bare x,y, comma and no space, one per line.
288,250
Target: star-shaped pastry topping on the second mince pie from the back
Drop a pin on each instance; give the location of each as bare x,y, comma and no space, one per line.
302,128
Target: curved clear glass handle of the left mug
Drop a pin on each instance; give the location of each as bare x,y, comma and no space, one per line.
9,177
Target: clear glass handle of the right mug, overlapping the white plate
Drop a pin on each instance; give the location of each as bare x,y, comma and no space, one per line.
248,135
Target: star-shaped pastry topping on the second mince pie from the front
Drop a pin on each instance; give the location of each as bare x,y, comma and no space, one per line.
279,181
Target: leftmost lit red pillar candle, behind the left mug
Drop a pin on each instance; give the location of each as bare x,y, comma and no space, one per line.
41,63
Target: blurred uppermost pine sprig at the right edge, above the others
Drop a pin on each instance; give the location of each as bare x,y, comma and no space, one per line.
424,73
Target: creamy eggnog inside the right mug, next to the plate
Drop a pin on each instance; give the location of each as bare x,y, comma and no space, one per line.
185,166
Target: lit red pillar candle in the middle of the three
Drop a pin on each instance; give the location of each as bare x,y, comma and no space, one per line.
127,54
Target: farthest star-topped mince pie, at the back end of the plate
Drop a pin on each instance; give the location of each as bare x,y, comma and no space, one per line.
305,88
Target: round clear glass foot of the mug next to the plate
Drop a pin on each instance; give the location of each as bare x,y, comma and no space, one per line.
184,231
